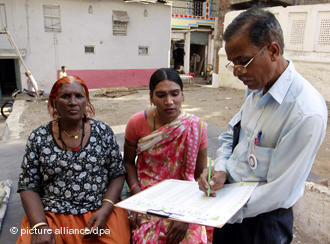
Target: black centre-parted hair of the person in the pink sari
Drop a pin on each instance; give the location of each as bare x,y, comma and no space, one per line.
164,74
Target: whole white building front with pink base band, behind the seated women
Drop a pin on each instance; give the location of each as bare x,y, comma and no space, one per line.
108,43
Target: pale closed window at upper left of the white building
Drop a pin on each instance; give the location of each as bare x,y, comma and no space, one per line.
52,18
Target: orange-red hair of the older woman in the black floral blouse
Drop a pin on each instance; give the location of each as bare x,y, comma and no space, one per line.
55,91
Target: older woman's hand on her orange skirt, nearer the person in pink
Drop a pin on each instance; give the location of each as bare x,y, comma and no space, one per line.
99,219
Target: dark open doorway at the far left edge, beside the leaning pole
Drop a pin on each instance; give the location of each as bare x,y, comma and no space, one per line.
8,78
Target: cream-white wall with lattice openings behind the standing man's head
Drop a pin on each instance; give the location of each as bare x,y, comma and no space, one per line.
310,59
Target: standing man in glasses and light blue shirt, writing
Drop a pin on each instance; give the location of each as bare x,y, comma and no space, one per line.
282,125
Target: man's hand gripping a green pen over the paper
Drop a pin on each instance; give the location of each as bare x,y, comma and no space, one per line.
218,179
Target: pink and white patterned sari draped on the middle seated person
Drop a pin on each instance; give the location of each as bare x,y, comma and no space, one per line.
169,153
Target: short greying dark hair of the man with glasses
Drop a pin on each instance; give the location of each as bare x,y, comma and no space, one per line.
261,26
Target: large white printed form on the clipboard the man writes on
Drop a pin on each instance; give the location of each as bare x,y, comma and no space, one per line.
183,201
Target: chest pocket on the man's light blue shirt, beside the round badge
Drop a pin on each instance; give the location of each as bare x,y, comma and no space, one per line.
263,155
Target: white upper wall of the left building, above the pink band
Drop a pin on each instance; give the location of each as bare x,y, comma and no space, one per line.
47,51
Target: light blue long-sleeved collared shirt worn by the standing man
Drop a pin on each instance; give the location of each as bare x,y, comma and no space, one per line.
290,120
